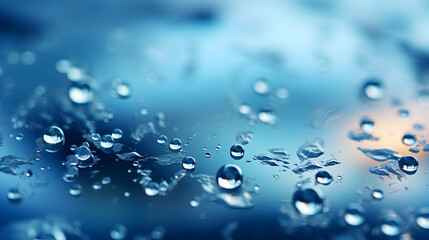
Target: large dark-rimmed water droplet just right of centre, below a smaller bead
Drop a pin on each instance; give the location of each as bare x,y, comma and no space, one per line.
229,177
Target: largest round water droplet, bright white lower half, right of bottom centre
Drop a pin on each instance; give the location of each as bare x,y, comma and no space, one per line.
308,200
